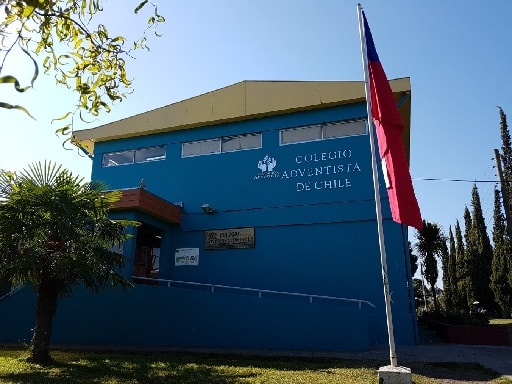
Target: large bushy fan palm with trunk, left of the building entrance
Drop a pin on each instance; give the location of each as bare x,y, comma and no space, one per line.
55,234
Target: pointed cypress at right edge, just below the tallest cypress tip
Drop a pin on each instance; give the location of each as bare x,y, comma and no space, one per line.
500,263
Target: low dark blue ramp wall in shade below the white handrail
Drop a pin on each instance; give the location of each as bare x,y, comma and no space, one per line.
156,316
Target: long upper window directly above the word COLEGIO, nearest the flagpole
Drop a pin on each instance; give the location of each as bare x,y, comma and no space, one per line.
323,131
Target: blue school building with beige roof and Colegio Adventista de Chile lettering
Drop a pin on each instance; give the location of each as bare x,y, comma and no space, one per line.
258,226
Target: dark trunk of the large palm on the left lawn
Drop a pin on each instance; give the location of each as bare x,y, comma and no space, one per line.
47,297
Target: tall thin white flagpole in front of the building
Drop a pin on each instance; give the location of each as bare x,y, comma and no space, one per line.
378,208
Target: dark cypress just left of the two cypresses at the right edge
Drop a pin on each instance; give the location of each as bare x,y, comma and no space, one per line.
479,256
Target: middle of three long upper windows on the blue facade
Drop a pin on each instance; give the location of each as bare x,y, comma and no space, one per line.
220,145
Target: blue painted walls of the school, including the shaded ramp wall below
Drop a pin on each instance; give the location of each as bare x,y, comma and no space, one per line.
309,238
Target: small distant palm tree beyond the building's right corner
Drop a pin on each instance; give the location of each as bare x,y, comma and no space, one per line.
430,245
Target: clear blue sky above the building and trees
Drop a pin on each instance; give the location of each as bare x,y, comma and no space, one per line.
457,54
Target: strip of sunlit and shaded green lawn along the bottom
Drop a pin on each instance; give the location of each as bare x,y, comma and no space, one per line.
187,368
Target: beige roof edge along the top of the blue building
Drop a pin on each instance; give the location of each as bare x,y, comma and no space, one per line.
240,101
